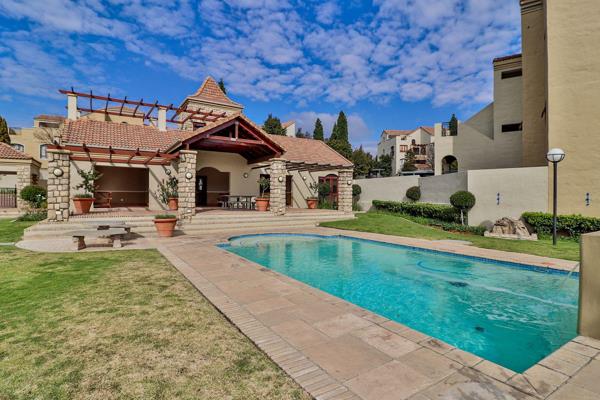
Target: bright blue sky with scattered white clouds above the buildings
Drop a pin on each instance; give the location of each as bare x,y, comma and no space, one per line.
389,64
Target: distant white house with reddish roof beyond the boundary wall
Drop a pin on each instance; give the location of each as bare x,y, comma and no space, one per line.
397,143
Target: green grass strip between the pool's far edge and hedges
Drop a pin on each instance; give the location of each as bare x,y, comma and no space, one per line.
389,224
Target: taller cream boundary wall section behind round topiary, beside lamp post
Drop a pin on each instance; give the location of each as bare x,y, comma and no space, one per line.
520,189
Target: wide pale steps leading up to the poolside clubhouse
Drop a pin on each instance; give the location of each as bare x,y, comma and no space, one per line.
202,223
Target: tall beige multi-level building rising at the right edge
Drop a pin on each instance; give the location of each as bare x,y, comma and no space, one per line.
546,97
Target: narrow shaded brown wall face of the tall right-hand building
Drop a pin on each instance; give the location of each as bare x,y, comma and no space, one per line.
533,43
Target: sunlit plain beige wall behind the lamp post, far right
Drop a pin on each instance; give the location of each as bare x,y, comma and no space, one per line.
573,98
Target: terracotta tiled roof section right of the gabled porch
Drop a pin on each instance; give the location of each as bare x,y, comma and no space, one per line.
309,151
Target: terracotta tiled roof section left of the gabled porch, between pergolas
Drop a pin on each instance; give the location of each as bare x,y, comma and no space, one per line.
125,136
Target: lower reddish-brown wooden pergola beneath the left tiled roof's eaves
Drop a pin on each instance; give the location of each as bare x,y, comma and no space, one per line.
83,152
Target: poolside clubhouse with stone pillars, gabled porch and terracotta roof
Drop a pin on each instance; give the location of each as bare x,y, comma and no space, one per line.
207,142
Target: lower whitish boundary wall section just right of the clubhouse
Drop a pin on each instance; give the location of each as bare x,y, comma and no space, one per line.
392,189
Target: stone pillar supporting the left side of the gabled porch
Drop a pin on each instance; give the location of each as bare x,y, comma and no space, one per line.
186,175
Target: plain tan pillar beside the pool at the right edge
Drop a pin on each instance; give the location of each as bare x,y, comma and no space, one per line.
589,286
